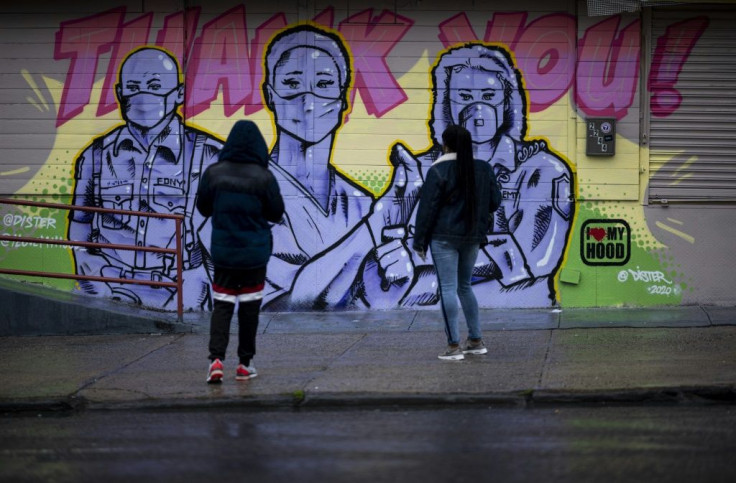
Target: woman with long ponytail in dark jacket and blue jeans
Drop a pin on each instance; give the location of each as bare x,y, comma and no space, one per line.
454,215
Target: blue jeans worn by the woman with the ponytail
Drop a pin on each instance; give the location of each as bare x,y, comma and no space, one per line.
454,264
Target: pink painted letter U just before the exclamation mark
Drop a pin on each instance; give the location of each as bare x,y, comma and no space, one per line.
608,69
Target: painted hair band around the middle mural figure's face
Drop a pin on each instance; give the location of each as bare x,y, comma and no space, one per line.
308,36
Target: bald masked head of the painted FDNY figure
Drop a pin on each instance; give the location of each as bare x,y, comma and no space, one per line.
149,90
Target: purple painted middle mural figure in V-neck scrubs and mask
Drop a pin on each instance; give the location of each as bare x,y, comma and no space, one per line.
332,223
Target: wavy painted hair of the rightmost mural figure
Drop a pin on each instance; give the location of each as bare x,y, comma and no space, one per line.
484,57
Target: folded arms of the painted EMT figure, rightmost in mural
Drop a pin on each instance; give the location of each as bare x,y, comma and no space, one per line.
525,243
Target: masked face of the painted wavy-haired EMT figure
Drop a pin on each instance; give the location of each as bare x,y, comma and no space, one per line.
476,98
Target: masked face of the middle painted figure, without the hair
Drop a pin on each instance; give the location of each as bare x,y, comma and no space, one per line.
306,94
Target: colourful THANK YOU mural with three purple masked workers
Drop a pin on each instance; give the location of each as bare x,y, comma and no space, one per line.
343,242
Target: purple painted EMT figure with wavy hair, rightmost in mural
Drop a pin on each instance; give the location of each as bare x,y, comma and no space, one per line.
478,86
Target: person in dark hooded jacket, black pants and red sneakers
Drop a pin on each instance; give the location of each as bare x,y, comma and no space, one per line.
241,196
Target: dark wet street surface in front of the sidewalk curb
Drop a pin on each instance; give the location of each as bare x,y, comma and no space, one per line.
568,443
